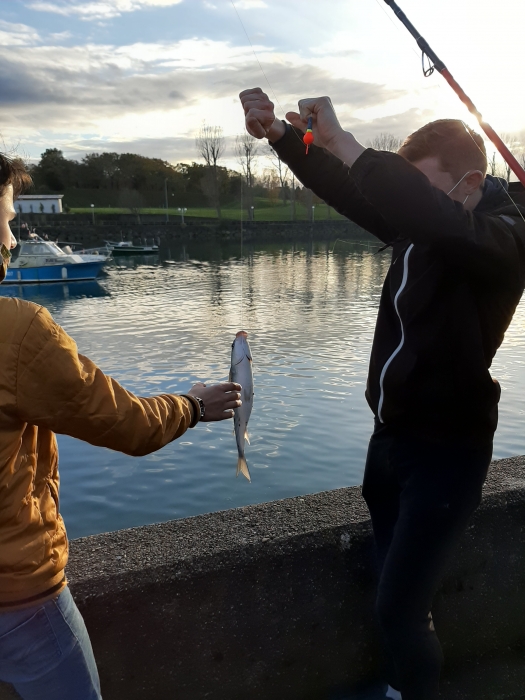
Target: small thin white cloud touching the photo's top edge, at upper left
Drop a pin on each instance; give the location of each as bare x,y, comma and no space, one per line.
98,10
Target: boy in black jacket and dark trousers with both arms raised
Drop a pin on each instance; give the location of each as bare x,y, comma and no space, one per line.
456,277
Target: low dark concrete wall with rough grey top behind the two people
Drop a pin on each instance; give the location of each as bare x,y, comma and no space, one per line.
275,600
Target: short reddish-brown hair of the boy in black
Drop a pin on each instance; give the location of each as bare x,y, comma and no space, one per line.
457,146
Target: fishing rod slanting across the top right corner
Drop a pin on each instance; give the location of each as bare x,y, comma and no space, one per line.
435,63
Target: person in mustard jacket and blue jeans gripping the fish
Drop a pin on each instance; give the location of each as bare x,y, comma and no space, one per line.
47,387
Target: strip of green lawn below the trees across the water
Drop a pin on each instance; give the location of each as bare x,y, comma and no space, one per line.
263,211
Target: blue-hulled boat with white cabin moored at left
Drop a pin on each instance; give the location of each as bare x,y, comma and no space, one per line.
43,261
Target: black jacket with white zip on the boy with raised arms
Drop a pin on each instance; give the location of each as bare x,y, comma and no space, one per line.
455,280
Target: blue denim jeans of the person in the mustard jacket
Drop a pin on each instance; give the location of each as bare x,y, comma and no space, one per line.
45,652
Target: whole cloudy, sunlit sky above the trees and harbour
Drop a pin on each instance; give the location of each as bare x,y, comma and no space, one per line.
142,76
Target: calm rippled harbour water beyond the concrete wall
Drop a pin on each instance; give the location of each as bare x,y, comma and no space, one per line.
160,325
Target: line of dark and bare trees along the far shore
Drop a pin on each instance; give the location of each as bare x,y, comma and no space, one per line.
132,181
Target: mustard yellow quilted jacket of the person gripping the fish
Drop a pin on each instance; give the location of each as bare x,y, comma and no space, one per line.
46,387
